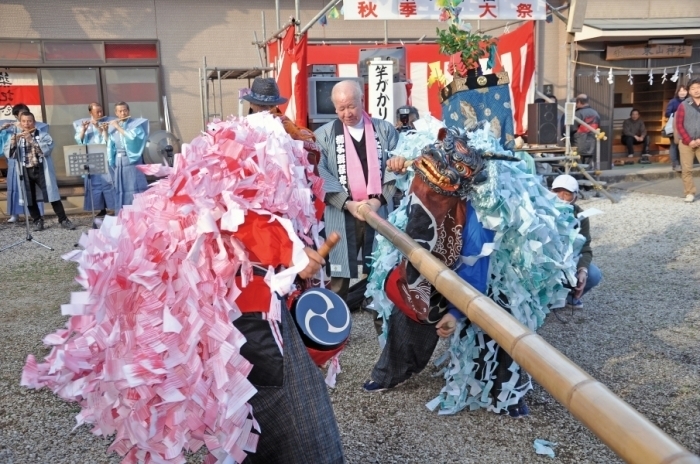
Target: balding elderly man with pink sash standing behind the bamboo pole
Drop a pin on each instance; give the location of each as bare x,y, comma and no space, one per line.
355,150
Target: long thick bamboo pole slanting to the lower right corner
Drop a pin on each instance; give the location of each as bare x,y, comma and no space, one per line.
616,423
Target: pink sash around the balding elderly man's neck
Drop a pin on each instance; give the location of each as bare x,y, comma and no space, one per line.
356,178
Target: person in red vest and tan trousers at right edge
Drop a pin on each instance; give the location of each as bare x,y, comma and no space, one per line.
687,121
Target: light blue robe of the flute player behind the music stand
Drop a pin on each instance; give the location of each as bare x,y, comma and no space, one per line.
102,187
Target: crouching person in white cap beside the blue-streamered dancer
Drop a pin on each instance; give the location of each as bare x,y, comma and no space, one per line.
588,274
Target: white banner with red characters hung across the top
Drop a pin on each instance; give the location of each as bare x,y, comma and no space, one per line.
427,9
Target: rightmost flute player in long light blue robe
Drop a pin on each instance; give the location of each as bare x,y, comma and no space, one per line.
125,143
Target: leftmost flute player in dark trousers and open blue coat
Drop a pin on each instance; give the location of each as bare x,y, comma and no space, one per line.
32,150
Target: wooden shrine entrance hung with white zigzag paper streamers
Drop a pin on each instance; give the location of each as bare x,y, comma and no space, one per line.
626,64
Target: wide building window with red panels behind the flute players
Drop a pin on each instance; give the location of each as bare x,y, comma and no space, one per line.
57,79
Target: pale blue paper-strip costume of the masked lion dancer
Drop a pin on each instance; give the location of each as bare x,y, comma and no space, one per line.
518,247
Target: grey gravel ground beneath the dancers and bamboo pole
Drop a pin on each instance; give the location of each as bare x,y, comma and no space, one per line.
639,334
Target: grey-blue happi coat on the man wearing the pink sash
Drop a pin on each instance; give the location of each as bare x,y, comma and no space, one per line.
334,216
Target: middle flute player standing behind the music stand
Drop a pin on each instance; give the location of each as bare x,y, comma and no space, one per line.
93,131
